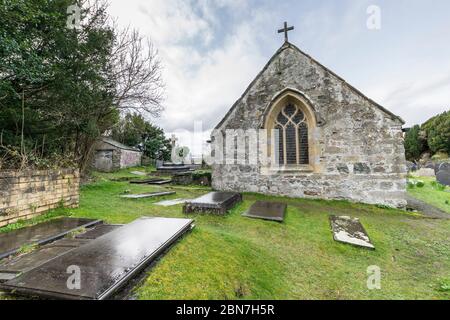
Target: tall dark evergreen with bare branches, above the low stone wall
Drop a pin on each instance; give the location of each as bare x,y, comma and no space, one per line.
61,88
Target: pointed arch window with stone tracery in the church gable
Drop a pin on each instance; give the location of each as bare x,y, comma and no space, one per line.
292,136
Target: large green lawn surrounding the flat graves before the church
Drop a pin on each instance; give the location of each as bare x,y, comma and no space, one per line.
233,257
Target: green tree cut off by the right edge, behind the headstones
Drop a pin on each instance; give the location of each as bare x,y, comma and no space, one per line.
438,133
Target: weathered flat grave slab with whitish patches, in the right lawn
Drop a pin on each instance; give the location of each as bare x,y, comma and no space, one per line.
350,230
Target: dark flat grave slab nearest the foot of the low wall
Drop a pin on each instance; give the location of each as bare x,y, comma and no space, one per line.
12,242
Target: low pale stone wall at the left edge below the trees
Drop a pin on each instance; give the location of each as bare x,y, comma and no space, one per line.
26,194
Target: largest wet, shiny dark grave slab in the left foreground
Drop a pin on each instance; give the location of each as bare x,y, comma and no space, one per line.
105,264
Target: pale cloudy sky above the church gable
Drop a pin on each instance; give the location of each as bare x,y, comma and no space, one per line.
212,49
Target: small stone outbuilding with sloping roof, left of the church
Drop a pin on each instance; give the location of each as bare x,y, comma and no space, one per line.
111,155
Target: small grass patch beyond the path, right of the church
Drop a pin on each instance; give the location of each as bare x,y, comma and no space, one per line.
428,194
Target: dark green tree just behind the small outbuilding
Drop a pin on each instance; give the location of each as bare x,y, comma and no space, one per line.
134,130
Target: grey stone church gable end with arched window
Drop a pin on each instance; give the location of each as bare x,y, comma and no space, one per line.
331,141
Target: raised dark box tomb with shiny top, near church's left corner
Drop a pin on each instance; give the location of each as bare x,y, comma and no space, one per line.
214,202
